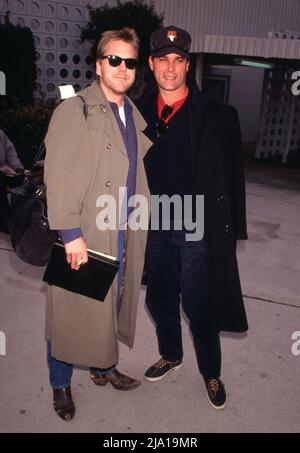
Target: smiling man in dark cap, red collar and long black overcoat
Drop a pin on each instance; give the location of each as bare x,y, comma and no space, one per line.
196,151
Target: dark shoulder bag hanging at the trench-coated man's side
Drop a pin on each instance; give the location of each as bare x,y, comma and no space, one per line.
31,237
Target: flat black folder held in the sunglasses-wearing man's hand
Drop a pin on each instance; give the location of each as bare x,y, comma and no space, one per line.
93,279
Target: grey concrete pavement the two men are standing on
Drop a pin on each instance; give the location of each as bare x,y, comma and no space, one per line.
260,372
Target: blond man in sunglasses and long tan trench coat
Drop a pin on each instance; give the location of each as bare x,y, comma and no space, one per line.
95,145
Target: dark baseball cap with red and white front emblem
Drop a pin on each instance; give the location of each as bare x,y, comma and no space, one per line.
170,39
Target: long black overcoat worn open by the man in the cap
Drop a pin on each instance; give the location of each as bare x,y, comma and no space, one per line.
218,174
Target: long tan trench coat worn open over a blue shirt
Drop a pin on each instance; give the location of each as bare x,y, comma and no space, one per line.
83,155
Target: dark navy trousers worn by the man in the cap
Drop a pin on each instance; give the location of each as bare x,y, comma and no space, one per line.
175,266
